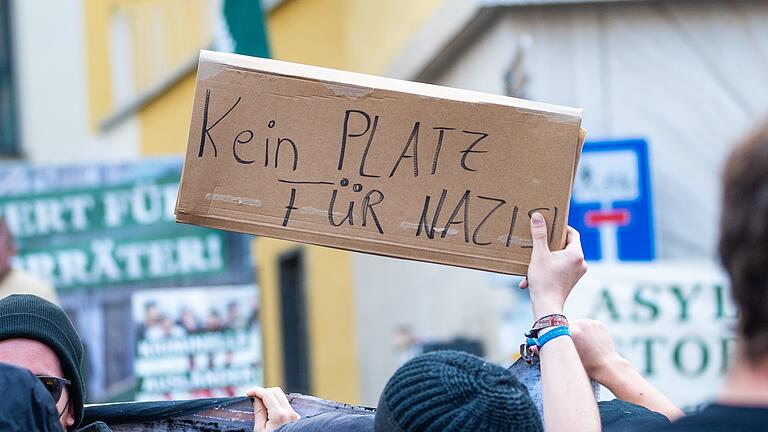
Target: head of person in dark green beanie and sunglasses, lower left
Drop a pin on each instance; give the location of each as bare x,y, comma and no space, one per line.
36,335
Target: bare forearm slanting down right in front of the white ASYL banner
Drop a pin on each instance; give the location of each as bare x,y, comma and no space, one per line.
628,385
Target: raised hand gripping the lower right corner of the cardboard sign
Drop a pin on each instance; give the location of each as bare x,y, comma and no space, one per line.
552,275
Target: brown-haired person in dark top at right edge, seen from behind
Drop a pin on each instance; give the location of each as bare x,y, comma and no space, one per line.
743,404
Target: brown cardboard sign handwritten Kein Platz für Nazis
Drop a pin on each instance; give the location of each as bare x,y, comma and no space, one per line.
375,165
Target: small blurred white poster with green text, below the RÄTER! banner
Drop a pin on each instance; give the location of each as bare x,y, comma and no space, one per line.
196,342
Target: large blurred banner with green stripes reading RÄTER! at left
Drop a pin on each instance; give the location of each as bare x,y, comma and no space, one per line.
102,232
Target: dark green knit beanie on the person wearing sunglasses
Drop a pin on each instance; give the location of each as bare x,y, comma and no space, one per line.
31,317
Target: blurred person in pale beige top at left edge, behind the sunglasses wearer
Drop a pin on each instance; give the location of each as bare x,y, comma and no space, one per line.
16,281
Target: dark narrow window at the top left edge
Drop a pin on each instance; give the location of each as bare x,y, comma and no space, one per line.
8,145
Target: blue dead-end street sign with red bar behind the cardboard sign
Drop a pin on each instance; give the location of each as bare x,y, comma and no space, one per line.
612,206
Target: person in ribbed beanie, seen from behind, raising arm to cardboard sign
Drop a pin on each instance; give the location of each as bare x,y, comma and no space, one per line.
408,396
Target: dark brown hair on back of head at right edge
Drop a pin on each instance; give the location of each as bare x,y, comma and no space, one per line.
744,238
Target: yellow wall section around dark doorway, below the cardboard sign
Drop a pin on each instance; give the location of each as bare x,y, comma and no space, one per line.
331,318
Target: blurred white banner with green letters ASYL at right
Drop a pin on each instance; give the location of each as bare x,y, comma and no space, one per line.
674,322
